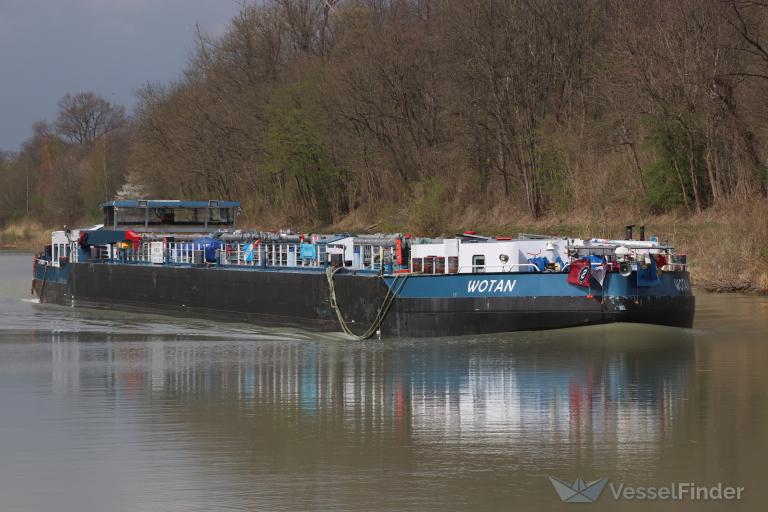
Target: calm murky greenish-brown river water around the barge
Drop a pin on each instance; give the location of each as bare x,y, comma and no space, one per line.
111,411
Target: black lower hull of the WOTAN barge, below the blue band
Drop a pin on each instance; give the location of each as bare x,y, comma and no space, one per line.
302,299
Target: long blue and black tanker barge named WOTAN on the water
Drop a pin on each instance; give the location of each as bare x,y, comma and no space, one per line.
189,258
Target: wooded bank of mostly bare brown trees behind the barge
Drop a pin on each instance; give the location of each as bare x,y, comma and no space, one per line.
558,116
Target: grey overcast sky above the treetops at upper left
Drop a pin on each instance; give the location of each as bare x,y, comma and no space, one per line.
51,47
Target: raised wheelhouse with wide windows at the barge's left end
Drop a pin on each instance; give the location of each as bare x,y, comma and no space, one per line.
148,216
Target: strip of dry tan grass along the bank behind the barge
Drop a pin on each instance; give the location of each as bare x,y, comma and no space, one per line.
727,249
